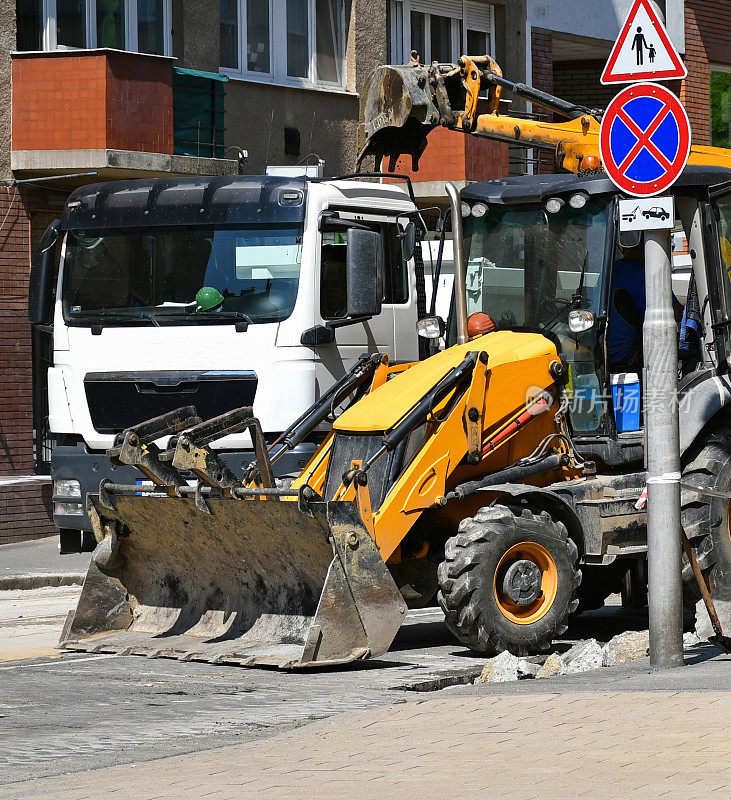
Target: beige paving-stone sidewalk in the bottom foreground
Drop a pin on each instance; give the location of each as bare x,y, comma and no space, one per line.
623,745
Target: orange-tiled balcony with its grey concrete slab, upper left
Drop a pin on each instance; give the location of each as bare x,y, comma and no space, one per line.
106,111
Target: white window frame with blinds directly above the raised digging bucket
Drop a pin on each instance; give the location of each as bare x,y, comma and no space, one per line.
400,26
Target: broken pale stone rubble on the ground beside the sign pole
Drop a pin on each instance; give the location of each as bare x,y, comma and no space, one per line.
585,655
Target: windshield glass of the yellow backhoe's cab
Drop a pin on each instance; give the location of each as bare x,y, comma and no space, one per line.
525,265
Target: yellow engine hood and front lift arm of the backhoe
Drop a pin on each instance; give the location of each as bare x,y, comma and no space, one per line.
443,430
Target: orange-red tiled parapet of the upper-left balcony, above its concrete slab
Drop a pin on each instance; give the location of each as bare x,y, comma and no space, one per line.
92,100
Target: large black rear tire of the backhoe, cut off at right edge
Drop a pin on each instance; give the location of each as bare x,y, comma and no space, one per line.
706,519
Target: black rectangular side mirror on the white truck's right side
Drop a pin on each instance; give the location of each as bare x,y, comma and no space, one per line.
364,273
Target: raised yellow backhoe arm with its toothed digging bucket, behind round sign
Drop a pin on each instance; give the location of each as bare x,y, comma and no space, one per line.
403,103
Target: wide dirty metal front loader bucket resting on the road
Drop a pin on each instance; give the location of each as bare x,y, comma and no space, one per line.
253,582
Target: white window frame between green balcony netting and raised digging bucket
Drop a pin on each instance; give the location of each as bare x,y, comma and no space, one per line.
278,50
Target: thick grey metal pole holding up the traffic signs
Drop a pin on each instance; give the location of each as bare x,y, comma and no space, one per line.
662,437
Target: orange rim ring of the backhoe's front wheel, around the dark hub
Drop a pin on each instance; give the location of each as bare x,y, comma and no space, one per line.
532,611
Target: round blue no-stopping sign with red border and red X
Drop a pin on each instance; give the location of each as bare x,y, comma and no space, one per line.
644,140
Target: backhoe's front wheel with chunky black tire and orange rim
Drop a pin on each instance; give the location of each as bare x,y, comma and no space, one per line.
508,581
